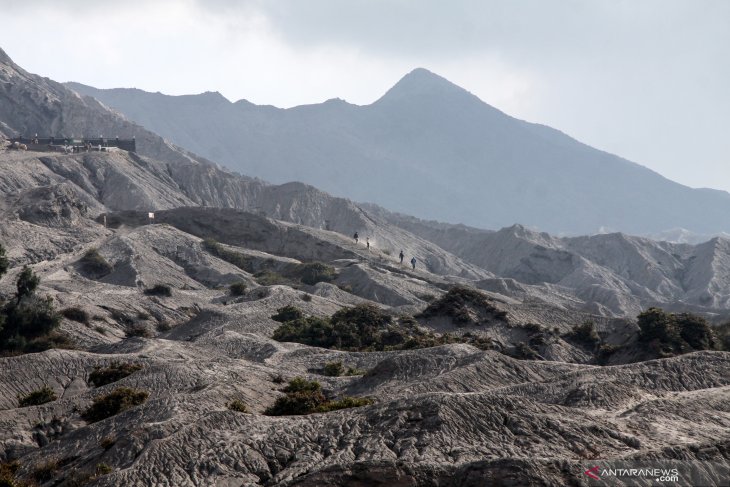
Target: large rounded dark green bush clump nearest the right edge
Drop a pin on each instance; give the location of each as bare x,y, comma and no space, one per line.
668,334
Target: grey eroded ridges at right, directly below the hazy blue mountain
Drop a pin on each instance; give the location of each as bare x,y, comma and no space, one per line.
609,273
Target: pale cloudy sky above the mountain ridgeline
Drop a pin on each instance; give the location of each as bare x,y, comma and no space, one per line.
646,79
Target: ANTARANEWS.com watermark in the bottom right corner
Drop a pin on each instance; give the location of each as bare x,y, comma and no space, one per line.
659,473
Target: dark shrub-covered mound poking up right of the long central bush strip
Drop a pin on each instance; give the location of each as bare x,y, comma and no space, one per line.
464,306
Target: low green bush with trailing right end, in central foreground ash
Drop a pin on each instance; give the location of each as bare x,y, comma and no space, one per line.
306,397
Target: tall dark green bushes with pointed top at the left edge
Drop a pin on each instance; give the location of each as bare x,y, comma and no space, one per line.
27,323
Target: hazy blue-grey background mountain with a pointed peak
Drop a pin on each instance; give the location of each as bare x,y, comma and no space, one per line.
431,149
